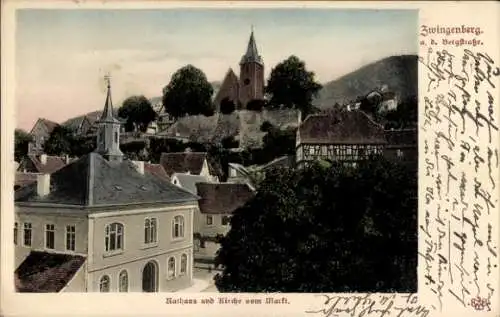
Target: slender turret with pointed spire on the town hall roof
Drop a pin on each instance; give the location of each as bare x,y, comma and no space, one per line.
108,137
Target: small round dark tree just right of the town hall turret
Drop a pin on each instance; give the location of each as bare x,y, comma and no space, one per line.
138,112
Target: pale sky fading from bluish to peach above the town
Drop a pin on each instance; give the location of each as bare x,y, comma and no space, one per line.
62,55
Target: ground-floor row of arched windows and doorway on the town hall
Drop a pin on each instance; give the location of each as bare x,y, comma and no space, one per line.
149,276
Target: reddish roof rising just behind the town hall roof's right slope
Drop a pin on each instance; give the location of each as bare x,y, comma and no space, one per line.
183,162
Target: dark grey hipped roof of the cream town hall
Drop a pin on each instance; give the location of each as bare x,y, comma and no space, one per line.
92,181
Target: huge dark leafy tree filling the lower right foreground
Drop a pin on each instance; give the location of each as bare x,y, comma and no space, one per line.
325,229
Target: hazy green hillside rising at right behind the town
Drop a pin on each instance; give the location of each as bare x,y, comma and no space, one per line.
399,73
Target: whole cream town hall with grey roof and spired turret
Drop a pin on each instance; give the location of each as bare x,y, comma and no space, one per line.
103,224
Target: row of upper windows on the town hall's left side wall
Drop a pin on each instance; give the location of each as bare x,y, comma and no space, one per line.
50,231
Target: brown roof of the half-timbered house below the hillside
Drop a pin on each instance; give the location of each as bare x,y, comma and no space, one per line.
341,127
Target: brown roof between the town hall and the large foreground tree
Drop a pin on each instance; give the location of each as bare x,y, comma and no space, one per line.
222,198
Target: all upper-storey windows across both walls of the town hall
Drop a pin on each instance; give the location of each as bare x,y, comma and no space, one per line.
113,237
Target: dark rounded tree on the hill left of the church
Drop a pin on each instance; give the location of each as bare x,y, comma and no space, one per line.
188,93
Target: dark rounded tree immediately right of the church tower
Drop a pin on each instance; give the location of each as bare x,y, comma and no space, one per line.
292,86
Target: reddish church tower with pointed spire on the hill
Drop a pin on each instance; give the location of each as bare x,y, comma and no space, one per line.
251,74
